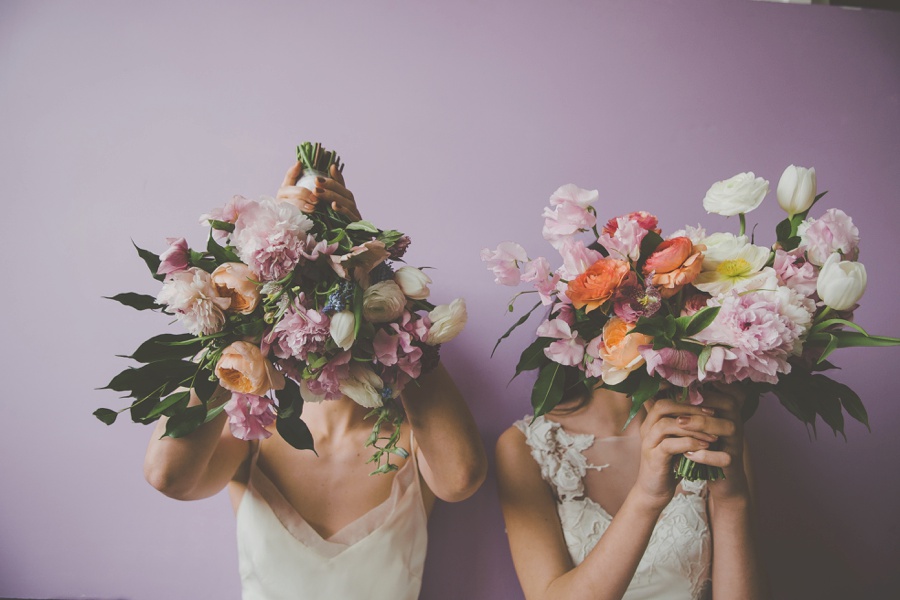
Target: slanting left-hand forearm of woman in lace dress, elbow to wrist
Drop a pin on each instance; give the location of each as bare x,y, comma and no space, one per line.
608,569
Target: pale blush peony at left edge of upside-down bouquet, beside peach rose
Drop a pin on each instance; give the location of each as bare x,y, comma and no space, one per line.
191,295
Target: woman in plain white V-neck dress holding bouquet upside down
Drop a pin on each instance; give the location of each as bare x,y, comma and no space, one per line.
316,525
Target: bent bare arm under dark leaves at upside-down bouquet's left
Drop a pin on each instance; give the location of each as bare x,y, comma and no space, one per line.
198,465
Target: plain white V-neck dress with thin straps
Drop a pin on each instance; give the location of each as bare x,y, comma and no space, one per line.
379,556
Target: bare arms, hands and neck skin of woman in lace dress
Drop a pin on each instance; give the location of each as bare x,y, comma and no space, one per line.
666,430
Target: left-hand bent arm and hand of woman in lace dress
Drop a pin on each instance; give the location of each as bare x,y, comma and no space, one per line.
536,539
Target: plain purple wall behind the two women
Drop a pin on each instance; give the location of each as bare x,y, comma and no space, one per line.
456,121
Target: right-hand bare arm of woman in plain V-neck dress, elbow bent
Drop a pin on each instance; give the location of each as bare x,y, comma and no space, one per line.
449,449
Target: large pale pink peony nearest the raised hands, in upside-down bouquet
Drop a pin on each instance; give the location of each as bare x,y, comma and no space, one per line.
270,237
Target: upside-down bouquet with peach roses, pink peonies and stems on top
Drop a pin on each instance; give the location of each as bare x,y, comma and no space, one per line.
283,308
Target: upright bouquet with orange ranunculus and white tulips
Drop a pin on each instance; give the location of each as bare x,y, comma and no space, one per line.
636,312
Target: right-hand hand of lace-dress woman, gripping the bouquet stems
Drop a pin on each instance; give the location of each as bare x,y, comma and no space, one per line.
728,451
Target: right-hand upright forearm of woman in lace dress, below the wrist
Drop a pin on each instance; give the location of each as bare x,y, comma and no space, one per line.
736,569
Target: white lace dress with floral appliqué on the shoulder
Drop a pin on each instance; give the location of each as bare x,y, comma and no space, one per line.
677,562
